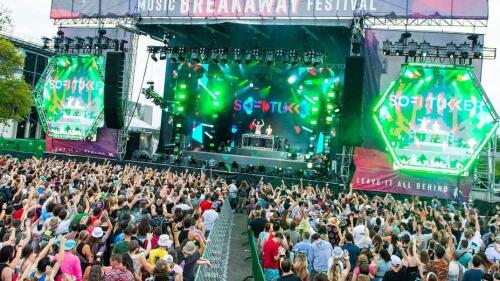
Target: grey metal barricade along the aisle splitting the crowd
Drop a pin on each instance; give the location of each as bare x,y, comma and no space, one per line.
217,249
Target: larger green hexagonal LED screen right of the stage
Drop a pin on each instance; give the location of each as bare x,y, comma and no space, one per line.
435,118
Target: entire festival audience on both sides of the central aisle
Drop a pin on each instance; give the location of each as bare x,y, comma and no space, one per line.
64,220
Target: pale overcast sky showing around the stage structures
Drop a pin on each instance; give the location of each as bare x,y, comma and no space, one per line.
31,21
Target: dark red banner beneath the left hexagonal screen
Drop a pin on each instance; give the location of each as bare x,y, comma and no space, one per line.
104,146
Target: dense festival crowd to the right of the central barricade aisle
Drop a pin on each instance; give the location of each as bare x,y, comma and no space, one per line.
307,233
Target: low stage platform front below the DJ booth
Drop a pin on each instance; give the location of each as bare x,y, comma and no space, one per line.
245,157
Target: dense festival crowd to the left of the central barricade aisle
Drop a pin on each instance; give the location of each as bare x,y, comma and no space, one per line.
70,221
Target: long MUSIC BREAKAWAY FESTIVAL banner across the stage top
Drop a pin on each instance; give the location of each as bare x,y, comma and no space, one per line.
248,9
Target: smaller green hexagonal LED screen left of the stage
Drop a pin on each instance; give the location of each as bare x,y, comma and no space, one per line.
70,96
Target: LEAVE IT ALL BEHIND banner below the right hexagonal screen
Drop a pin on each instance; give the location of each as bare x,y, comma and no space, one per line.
374,172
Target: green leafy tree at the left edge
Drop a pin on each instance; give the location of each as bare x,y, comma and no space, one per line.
15,93
